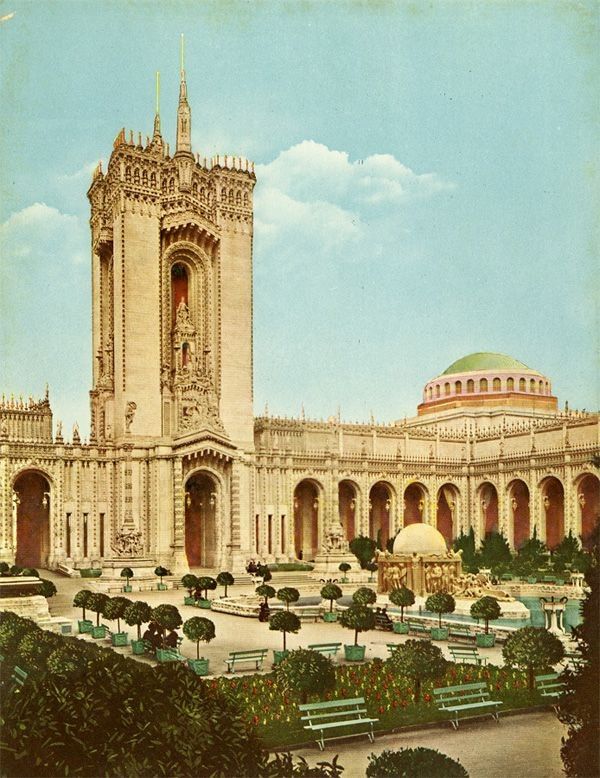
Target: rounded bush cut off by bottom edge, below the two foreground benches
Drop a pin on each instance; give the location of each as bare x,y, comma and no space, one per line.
414,763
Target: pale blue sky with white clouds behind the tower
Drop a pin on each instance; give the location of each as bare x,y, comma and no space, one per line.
427,185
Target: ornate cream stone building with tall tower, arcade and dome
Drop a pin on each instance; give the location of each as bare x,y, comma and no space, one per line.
177,470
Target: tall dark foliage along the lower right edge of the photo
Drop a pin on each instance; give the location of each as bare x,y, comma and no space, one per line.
580,706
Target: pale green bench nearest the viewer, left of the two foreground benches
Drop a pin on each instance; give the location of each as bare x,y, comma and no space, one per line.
337,715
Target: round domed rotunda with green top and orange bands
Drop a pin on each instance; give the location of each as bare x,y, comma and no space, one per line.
487,379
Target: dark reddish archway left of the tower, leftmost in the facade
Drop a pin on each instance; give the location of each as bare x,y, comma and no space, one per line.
32,499
